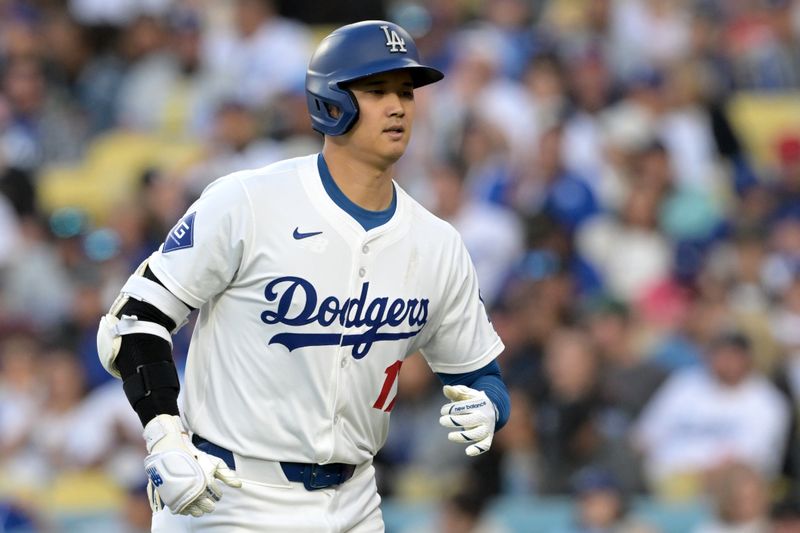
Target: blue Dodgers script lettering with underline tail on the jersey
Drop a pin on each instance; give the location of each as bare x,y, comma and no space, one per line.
376,313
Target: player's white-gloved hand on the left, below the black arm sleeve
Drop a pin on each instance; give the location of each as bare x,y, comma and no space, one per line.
181,476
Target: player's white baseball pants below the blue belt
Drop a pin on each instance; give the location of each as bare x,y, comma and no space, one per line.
274,504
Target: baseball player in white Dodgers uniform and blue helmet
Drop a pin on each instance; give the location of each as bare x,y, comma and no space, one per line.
314,278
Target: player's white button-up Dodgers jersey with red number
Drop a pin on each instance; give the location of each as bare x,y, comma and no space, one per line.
305,317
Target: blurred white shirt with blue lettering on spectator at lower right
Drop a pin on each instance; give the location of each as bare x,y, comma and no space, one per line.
695,423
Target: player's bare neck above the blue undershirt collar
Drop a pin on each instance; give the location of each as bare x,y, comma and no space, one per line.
366,184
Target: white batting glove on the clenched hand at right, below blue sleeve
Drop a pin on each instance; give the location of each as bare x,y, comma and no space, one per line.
473,414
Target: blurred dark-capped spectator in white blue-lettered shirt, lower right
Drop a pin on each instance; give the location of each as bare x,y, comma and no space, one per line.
703,418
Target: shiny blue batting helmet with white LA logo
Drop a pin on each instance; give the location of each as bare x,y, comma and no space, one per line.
352,52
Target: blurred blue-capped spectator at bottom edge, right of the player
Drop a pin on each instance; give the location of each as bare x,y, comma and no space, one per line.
602,505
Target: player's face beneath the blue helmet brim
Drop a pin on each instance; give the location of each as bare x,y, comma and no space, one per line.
386,113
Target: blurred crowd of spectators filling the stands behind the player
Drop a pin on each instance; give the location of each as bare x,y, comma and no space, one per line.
625,175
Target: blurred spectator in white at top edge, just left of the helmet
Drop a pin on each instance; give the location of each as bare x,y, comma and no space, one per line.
264,55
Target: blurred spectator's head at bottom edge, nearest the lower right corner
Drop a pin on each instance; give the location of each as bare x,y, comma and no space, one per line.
740,498
